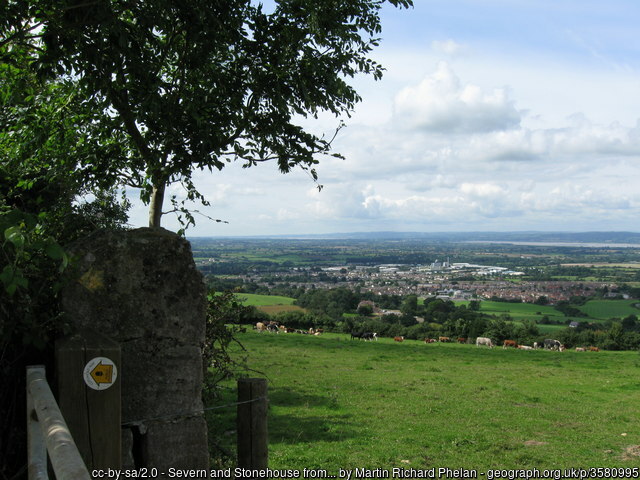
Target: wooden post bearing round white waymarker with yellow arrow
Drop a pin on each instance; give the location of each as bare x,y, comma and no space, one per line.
88,377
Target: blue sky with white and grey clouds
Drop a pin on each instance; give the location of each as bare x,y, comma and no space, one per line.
492,115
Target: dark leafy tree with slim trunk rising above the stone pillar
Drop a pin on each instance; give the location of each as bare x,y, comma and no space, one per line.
194,85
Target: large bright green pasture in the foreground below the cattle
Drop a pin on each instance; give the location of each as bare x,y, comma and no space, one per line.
337,403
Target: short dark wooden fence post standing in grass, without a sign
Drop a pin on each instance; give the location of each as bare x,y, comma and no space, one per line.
252,423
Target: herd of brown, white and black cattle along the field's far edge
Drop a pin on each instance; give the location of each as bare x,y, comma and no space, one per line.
548,344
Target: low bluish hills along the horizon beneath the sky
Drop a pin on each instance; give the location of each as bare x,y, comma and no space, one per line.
448,237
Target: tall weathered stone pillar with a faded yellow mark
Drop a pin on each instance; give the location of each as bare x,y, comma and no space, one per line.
141,288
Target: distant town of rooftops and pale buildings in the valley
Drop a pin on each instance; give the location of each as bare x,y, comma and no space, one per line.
441,278
